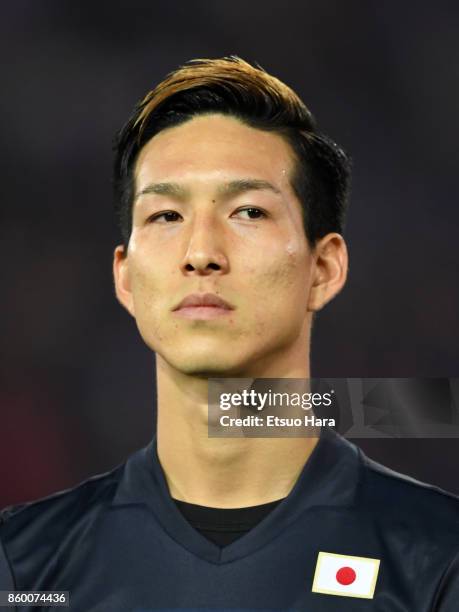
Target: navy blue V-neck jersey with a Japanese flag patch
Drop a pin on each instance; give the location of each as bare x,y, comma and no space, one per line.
351,536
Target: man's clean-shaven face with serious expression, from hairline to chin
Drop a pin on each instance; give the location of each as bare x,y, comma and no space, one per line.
215,213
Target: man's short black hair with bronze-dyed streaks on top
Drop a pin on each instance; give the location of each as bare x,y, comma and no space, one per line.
233,87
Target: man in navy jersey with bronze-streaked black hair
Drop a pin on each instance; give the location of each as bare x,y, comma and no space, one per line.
231,206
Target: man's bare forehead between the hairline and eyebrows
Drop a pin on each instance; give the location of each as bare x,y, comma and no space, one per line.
215,147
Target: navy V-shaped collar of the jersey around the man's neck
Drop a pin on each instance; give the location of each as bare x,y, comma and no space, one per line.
329,478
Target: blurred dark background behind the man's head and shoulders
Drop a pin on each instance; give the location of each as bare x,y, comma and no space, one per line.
77,393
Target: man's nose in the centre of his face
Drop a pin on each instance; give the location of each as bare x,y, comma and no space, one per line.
205,252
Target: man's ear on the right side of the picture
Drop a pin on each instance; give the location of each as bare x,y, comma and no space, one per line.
330,270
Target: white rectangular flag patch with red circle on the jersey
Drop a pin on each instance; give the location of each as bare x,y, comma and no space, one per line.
345,576
